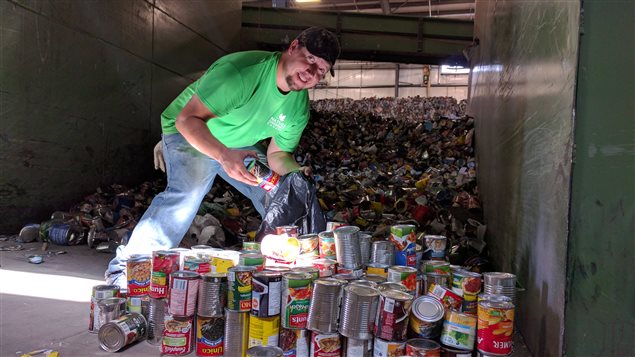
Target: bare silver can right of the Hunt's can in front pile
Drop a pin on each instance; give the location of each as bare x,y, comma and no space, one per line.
324,310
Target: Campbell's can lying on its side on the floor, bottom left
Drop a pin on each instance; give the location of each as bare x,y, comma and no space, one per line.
121,332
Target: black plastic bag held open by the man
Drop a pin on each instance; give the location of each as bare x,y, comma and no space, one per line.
294,202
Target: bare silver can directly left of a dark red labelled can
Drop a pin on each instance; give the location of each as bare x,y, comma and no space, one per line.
358,311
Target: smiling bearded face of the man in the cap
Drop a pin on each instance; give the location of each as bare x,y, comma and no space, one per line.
300,69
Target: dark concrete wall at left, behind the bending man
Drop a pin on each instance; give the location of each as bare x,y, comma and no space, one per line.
82,86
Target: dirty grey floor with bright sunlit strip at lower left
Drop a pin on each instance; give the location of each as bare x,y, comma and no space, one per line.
46,306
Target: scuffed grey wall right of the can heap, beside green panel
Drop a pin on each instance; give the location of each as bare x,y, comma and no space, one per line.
522,96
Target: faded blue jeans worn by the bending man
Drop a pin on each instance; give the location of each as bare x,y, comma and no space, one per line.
190,177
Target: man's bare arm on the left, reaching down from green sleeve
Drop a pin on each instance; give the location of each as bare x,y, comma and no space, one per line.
191,123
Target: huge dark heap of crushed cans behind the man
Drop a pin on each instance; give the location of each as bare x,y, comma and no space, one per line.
377,162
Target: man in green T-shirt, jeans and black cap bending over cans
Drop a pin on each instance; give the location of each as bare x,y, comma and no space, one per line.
212,126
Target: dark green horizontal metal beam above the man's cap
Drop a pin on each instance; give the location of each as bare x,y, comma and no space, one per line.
366,37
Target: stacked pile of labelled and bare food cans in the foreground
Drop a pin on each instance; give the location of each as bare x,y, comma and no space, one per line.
336,293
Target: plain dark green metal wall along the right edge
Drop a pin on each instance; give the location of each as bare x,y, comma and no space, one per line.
600,312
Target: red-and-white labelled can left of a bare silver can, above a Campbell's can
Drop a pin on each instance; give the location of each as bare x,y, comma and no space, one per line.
183,293
